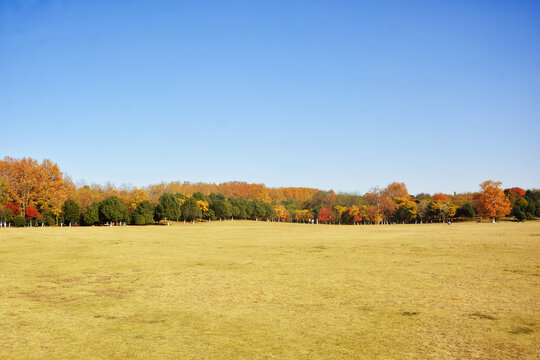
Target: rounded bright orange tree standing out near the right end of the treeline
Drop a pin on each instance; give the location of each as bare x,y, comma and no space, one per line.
491,201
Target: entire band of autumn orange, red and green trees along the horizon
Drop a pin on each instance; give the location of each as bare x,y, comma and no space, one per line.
33,192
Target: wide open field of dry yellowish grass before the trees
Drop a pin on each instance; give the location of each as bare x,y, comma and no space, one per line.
257,290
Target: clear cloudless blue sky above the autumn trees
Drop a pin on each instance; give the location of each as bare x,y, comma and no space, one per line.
341,95
